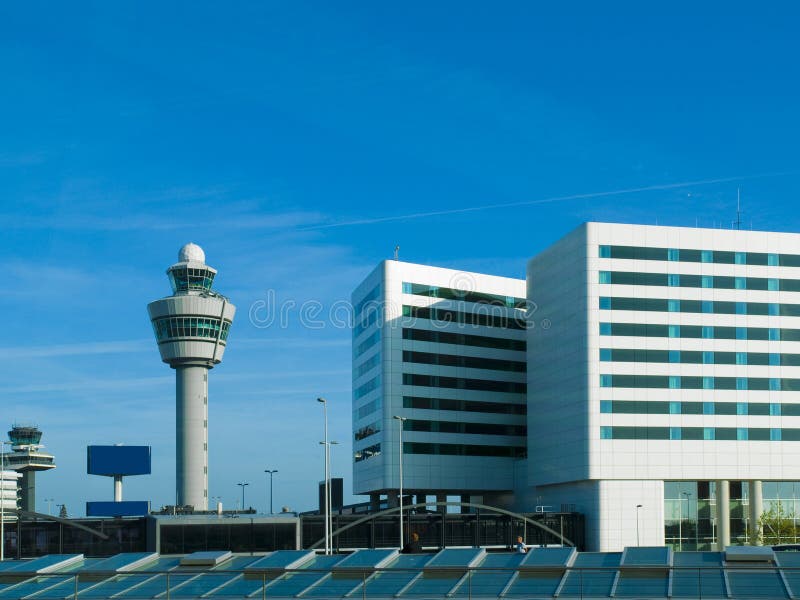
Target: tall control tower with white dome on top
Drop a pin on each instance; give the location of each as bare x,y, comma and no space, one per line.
191,328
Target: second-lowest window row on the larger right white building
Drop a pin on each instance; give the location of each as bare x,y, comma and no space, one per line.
655,407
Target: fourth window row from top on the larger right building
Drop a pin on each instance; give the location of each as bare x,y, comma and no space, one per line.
709,332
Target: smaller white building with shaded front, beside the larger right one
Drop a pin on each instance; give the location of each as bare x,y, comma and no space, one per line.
445,350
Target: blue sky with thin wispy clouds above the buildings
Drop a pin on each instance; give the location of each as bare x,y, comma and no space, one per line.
298,143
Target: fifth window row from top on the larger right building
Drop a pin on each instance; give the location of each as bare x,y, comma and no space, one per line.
697,357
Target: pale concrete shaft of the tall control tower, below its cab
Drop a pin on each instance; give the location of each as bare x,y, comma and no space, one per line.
191,424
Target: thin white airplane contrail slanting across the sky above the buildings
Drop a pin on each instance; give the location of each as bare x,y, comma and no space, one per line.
453,211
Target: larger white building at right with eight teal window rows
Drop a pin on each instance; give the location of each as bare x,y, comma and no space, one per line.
673,354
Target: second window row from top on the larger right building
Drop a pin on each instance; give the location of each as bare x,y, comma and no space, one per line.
719,282
